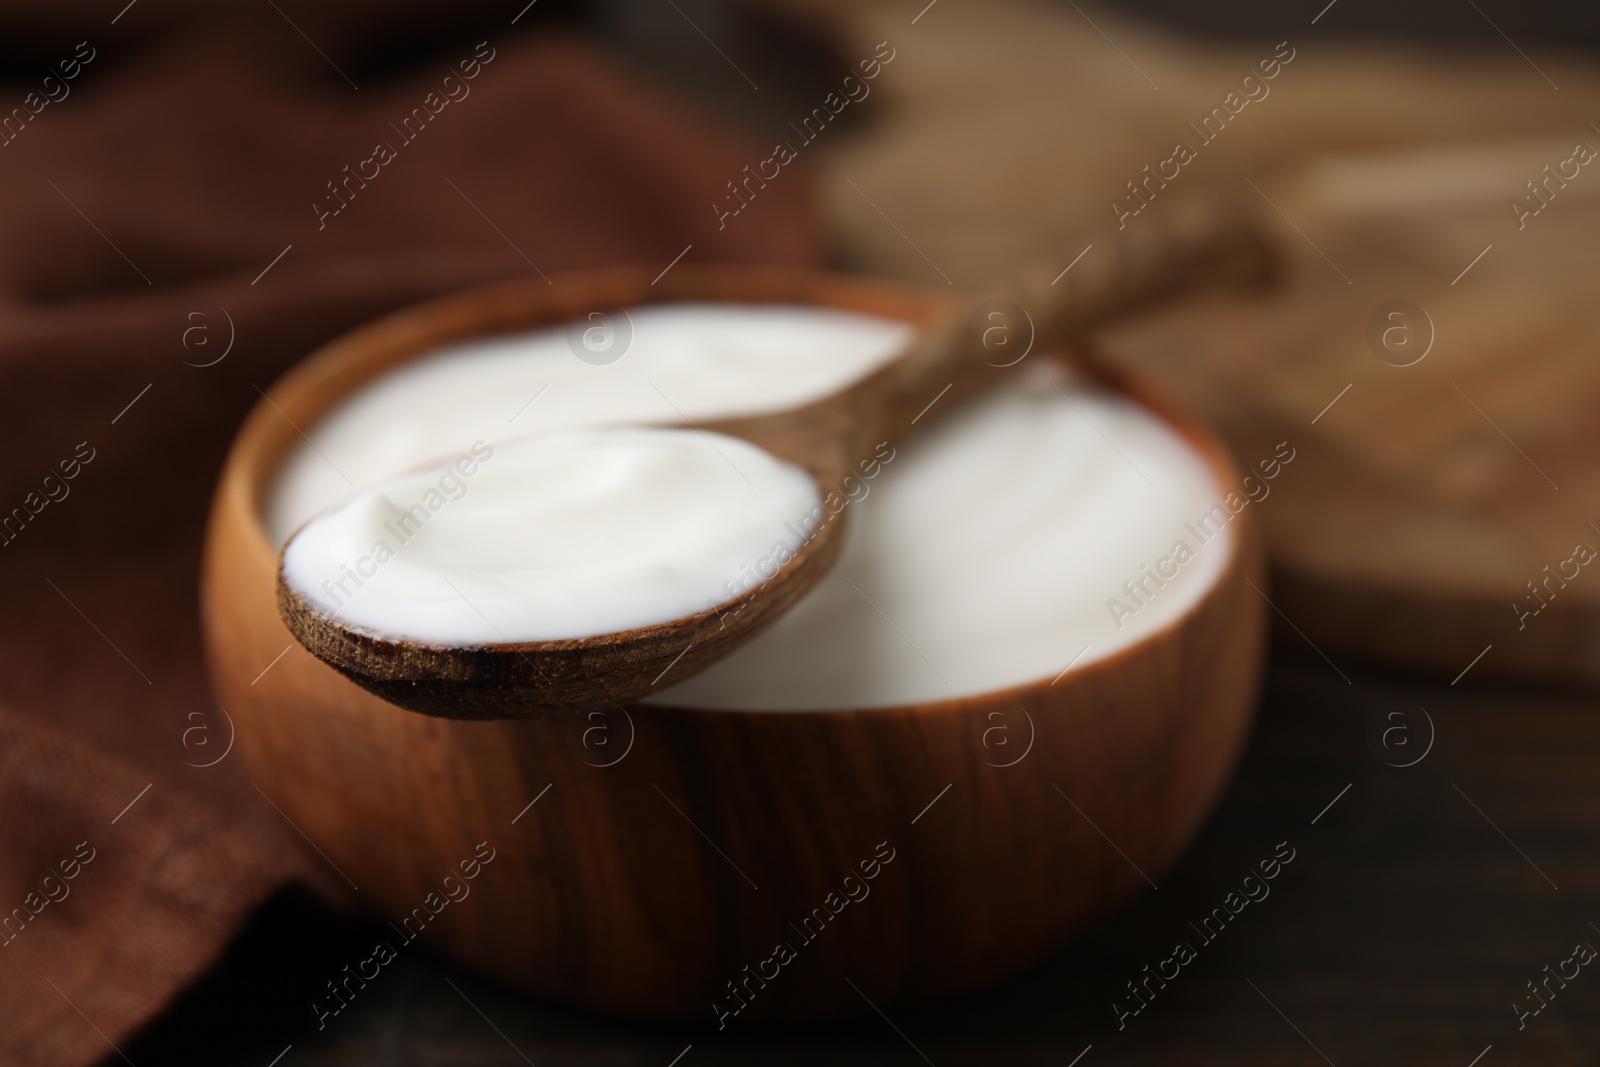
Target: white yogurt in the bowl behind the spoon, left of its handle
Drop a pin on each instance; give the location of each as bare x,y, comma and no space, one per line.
681,362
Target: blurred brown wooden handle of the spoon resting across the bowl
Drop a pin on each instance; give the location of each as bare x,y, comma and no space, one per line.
1204,249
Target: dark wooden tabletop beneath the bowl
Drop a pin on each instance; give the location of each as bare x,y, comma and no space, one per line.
1420,903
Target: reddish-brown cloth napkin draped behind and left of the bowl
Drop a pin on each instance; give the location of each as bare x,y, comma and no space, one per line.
156,214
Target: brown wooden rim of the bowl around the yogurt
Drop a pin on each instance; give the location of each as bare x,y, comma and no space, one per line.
319,382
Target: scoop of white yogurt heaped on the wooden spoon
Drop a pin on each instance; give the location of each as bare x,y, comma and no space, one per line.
569,533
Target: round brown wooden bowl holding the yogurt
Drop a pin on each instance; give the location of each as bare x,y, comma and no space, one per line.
673,852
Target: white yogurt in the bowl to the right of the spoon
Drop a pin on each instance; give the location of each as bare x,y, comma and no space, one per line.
986,556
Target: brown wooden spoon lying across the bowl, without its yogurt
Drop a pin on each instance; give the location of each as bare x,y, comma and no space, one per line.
945,366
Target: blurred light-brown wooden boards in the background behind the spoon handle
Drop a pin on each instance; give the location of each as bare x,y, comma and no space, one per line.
1431,494
